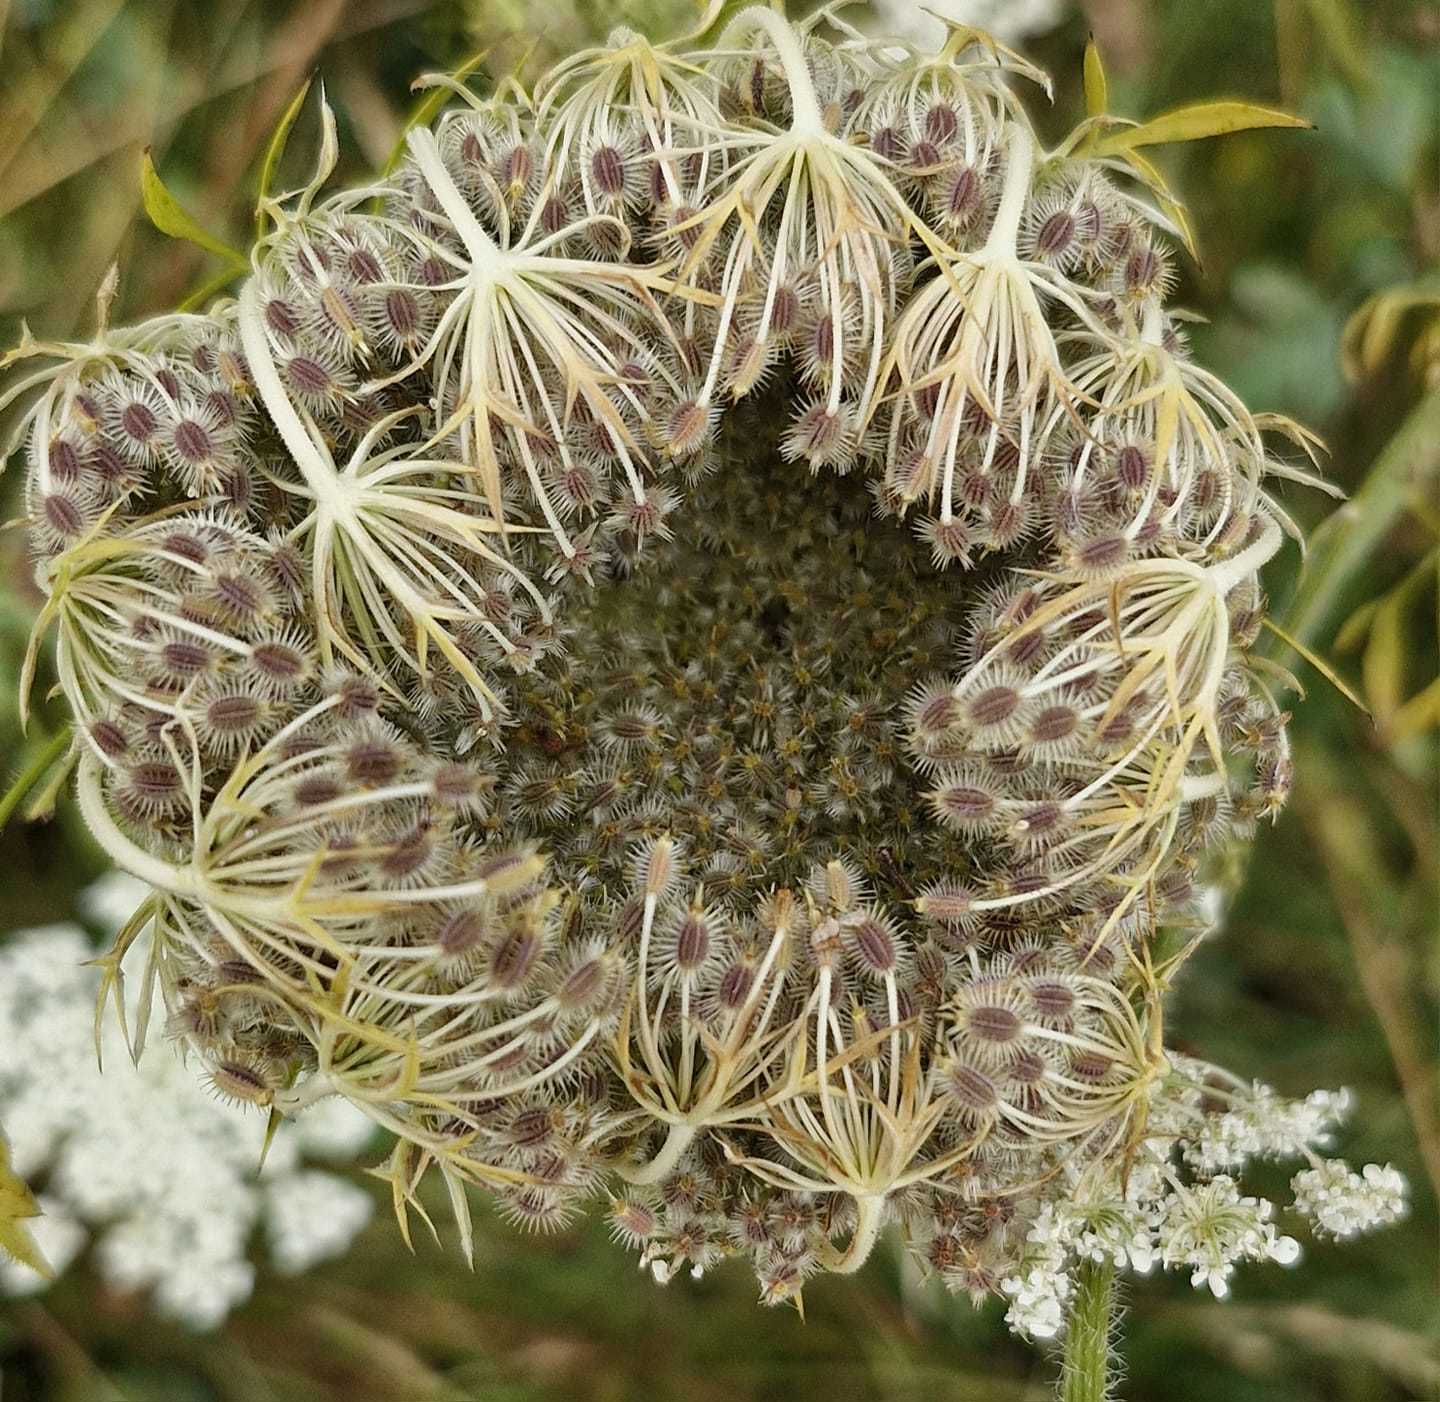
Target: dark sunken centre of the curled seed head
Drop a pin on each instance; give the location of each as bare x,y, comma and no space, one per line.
745,690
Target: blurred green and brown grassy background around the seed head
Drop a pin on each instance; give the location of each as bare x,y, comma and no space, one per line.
1328,967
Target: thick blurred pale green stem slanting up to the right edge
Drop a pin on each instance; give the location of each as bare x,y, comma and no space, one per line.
1403,473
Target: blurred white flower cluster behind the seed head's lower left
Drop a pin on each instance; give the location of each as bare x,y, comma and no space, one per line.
145,1161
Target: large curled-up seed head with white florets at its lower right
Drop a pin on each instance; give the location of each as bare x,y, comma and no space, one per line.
682,648
